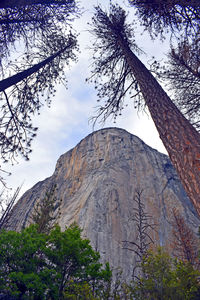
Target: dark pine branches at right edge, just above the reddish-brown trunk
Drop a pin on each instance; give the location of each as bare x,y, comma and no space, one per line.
182,75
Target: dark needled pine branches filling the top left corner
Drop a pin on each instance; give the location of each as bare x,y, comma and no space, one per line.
29,21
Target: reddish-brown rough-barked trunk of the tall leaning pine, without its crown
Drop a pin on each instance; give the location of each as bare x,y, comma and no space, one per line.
180,138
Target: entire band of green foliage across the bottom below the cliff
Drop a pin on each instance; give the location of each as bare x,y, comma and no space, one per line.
62,265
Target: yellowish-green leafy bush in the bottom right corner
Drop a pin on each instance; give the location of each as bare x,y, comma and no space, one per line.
166,278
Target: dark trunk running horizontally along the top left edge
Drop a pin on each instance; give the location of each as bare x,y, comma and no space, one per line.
19,3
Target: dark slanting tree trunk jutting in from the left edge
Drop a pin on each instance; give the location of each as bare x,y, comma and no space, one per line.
12,80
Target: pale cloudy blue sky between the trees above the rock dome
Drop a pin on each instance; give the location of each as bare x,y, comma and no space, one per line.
63,125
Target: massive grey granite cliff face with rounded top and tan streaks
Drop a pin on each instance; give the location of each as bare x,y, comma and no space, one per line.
97,181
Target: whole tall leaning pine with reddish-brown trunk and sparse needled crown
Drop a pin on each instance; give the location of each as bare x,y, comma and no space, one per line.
115,64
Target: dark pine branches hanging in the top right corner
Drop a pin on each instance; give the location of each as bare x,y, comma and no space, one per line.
169,16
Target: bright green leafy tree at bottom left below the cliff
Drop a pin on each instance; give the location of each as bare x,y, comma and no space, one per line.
35,265
